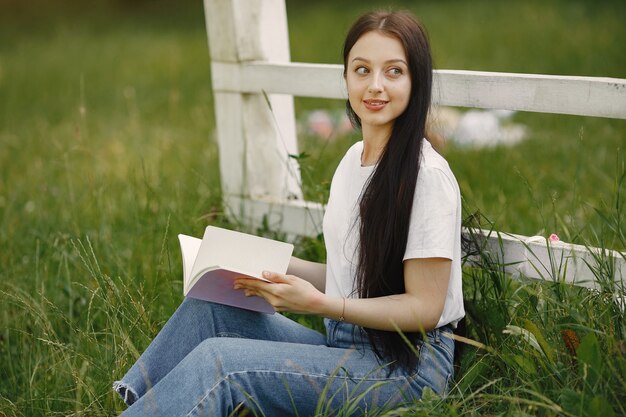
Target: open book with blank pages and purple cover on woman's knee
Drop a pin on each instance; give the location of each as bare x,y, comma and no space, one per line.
211,265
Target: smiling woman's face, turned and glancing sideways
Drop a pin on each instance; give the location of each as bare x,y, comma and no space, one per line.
378,80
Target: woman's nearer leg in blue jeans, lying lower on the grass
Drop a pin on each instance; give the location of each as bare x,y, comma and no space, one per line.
272,378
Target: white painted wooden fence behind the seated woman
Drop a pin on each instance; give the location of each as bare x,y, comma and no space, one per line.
254,83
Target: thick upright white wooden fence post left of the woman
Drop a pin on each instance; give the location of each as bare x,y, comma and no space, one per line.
255,132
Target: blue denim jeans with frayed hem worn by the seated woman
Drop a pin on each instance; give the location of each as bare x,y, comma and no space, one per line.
215,360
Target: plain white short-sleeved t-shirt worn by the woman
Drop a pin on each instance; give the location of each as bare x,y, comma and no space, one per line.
435,226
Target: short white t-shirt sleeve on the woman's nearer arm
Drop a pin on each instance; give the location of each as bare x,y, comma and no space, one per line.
433,219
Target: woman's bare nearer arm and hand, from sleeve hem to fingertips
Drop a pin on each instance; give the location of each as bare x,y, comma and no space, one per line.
418,309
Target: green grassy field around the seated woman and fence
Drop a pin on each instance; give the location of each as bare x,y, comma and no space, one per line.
107,152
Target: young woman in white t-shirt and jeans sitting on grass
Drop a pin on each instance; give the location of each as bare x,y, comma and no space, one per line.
390,292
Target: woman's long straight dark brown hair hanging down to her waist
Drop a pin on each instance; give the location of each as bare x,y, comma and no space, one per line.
386,203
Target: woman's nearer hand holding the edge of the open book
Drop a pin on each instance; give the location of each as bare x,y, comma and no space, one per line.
284,292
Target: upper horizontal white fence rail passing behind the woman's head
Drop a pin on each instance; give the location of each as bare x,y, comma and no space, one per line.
585,96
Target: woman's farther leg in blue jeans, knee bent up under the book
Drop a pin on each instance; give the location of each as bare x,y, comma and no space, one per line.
192,323
